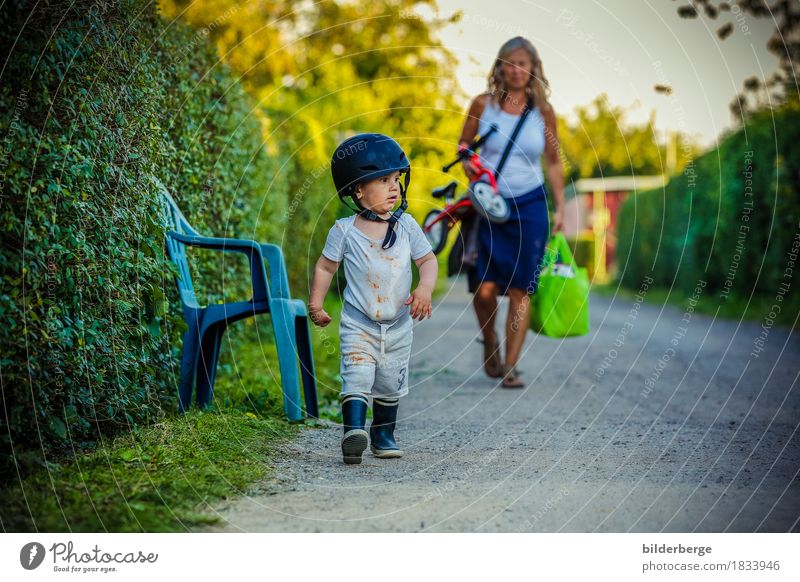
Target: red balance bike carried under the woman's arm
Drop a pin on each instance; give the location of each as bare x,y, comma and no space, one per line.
481,196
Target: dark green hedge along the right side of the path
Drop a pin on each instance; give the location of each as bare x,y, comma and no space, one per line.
705,225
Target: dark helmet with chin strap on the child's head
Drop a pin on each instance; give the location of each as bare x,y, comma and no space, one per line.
365,157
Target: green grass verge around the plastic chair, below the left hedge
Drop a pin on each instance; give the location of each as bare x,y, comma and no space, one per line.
168,477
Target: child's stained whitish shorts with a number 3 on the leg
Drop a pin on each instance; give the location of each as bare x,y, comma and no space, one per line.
375,354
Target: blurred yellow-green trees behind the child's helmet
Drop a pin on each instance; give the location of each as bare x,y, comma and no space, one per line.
323,71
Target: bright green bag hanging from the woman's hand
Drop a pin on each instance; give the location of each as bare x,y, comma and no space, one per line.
560,306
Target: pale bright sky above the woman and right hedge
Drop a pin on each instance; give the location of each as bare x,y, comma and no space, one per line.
622,48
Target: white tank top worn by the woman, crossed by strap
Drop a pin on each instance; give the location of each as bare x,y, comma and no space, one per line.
523,170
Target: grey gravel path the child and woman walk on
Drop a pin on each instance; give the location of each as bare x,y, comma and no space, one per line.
647,424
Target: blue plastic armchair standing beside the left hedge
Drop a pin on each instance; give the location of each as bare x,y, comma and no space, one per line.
206,325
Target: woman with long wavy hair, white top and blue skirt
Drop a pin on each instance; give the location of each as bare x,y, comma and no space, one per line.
509,254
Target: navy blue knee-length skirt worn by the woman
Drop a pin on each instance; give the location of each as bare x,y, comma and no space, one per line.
510,254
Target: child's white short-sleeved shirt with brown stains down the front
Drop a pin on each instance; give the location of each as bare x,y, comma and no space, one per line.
378,280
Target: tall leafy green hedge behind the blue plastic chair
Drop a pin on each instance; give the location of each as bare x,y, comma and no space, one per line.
95,99
